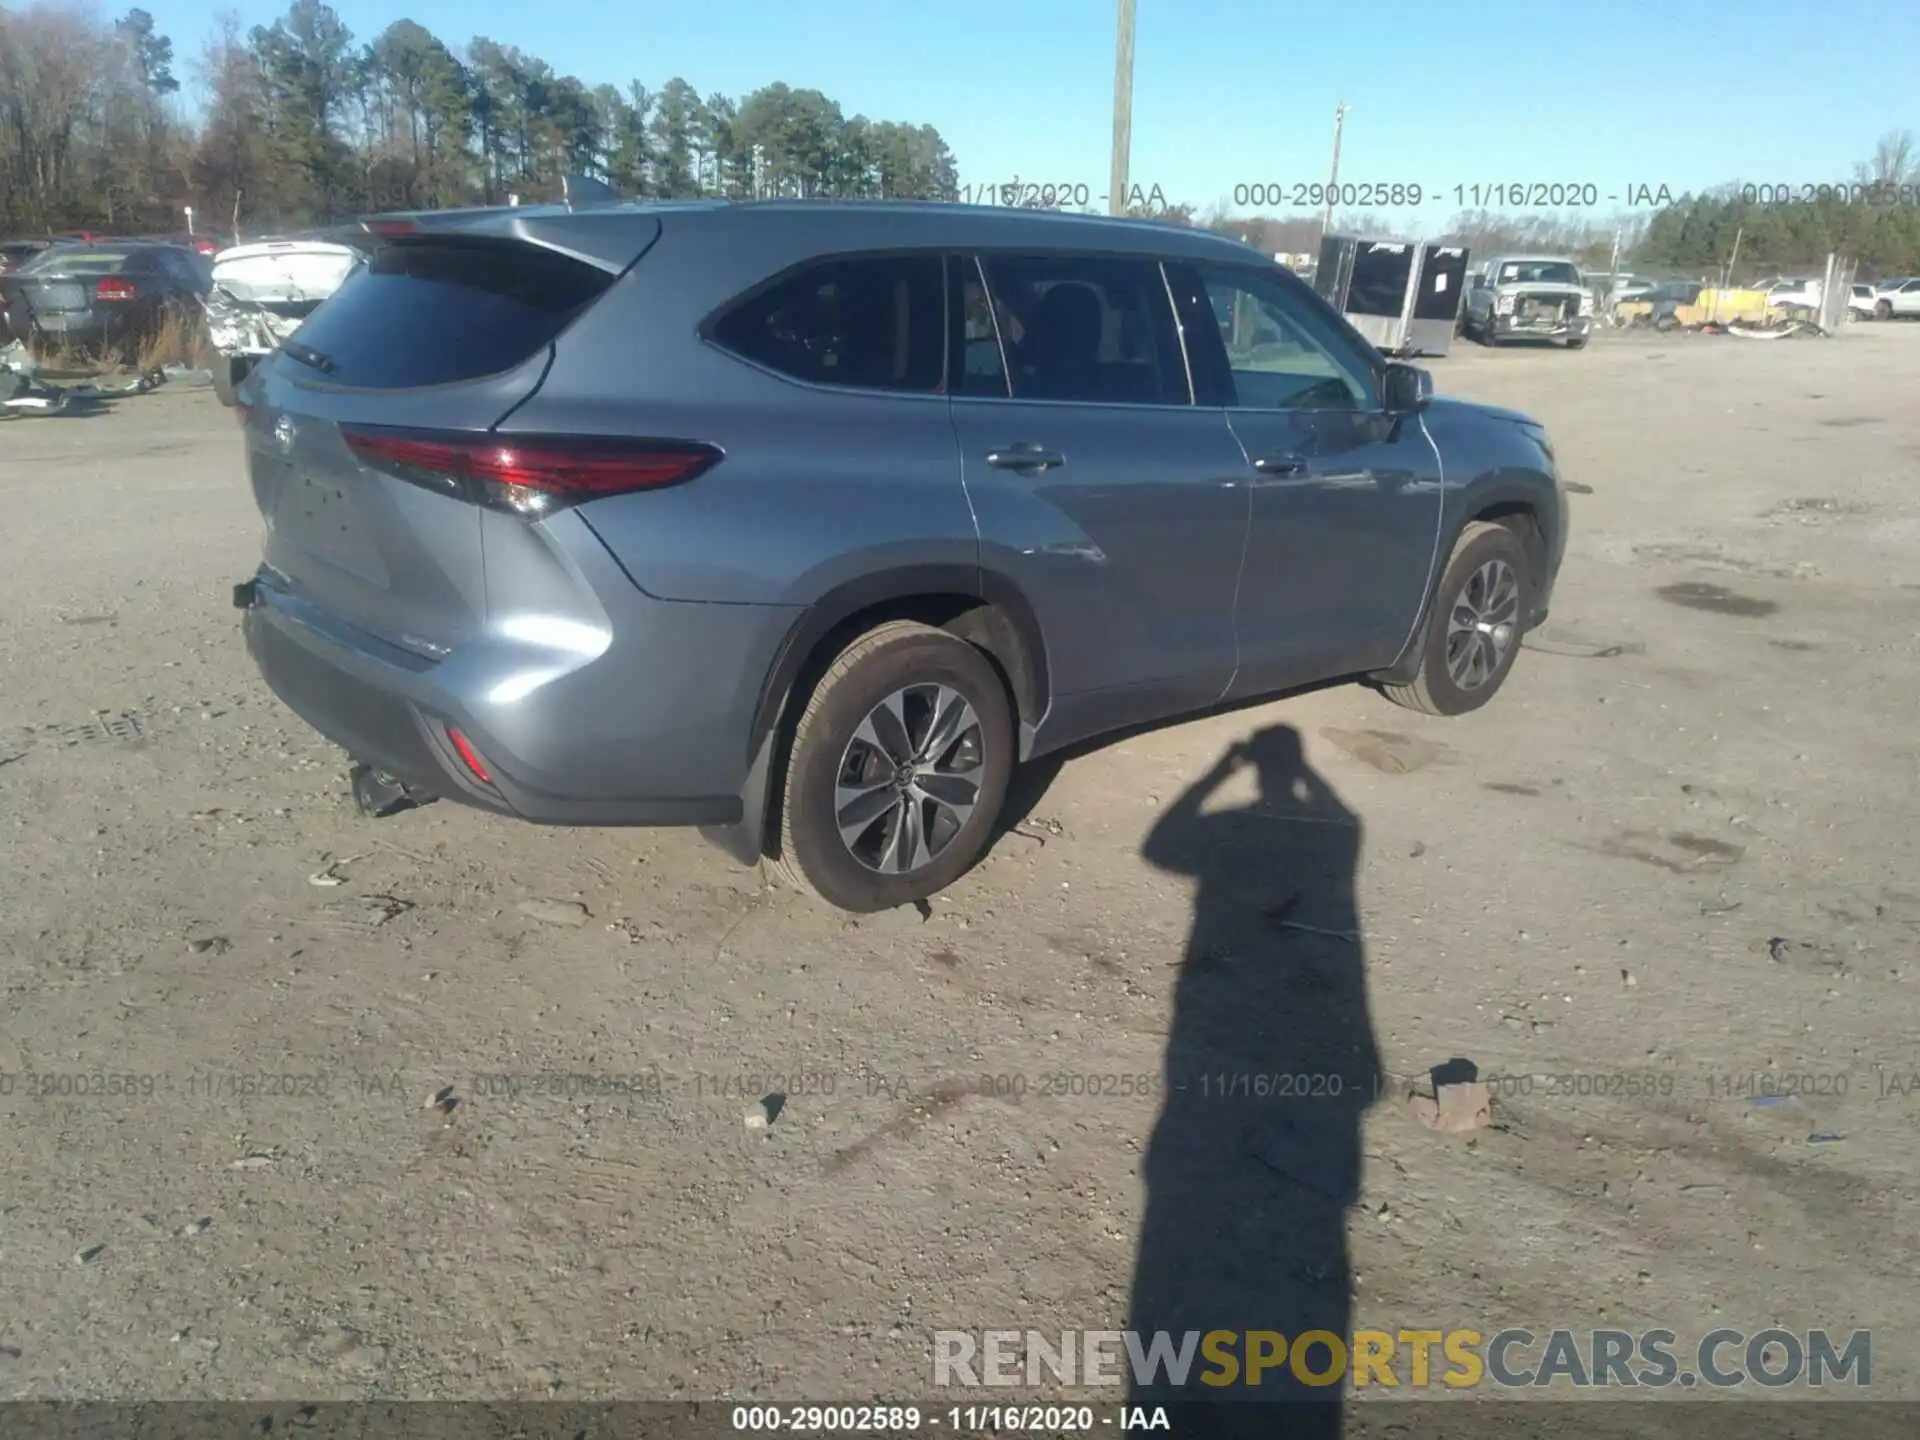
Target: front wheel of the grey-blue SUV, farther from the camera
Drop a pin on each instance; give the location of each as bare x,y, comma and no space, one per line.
1474,633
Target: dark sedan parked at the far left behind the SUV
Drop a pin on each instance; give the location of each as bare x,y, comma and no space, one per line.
107,295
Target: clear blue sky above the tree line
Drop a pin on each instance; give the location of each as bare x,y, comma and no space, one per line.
1236,93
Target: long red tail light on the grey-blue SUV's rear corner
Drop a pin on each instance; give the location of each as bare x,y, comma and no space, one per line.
529,475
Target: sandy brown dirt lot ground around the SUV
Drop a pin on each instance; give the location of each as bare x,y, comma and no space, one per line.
1679,853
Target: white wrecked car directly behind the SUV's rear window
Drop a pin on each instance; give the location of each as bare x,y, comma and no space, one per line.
266,291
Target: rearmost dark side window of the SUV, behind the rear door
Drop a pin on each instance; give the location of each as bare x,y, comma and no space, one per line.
871,324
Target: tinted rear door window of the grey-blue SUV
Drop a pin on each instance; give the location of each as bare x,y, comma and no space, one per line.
1088,329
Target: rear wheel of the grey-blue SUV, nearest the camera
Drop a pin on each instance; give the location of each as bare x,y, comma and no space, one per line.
898,771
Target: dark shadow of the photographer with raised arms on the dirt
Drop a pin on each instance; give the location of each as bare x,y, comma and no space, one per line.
1270,1070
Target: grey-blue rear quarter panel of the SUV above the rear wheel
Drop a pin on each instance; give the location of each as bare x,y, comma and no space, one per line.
817,487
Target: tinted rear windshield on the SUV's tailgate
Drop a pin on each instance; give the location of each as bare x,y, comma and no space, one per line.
435,312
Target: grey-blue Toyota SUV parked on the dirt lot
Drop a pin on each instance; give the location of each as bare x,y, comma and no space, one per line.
809,521
